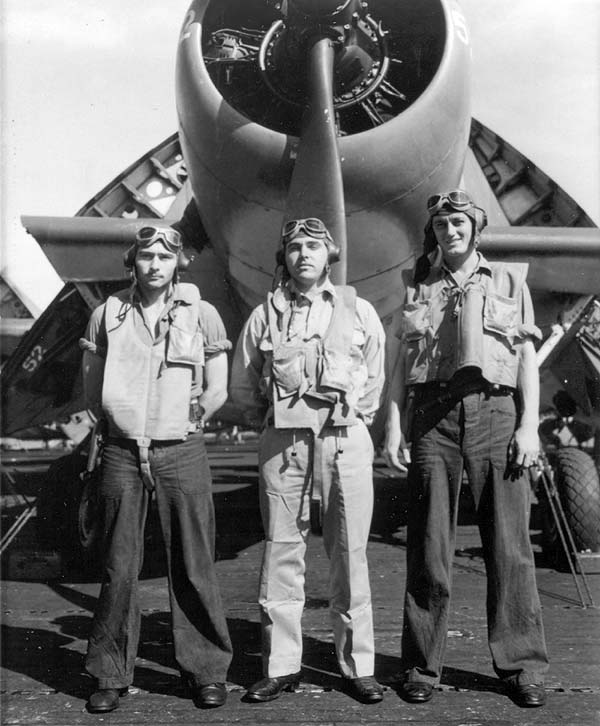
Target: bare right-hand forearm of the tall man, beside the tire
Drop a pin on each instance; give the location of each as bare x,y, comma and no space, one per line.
525,445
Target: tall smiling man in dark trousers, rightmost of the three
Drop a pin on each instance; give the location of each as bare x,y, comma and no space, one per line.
466,377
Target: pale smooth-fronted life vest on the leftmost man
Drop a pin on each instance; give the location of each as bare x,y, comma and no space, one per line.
147,386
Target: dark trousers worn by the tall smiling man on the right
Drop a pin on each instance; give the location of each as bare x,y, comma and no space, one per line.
473,432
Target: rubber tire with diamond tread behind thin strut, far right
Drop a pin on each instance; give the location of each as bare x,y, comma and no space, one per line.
578,486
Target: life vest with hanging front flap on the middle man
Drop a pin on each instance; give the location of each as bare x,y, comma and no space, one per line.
310,380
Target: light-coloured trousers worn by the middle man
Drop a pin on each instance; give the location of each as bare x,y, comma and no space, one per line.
344,463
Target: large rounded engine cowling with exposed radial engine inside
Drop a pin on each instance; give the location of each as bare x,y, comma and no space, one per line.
401,103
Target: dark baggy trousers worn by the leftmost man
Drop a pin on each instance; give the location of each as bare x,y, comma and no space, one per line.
185,508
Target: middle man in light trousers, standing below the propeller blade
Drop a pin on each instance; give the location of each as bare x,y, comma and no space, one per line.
308,370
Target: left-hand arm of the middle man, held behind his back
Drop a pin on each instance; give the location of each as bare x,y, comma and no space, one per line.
246,373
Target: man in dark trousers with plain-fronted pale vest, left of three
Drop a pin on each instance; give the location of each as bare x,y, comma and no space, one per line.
155,368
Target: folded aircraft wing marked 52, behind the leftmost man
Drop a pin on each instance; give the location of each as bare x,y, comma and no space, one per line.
41,382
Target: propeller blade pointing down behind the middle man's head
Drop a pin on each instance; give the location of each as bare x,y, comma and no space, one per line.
316,188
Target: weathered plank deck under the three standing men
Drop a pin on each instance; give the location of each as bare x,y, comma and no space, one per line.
45,626
